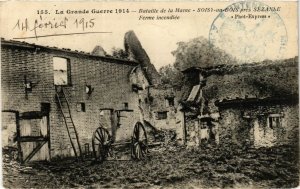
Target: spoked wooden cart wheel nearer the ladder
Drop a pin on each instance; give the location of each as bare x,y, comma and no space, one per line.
101,143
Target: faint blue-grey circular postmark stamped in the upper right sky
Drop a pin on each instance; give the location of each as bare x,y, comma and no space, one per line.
250,31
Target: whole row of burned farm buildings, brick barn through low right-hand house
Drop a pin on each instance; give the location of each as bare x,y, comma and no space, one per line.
55,100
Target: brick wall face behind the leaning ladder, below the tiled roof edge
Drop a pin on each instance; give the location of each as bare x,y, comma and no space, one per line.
108,77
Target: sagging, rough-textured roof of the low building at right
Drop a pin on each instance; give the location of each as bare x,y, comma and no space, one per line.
234,83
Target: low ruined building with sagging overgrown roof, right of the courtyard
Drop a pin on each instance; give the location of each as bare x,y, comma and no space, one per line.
254,104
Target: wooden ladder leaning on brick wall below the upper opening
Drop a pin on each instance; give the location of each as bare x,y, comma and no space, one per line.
71,129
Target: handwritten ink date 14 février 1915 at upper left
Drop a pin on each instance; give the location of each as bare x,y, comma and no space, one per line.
42,23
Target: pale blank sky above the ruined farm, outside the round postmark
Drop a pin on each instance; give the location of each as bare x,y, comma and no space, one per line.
158,38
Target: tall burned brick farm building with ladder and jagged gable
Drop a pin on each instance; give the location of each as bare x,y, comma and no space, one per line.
53,100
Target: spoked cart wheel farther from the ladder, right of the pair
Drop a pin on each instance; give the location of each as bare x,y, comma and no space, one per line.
139,142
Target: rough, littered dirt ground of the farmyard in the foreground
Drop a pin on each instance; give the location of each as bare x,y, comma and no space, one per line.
165,167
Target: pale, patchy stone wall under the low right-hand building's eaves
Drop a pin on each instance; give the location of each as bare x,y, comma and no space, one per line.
245,126
